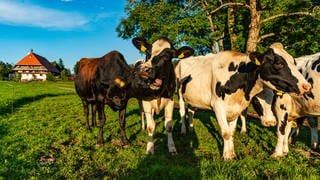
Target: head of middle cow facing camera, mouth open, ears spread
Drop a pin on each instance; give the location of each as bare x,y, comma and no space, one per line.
157,66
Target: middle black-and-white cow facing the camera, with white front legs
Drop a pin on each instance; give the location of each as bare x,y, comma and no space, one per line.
158,63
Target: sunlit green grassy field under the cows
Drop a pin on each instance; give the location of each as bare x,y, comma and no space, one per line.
42,136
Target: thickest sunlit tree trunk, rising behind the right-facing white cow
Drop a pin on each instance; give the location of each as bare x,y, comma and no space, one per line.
254,27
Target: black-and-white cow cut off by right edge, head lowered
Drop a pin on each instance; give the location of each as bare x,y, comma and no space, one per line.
289,109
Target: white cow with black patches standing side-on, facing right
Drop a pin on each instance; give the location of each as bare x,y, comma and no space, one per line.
226,82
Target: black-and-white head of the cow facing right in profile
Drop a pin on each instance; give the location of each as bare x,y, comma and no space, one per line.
278,71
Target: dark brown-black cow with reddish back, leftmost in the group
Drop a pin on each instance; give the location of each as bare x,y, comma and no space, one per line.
108,80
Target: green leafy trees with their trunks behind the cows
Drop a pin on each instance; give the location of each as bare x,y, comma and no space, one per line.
208,24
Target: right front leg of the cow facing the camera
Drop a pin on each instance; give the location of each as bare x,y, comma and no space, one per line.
168,126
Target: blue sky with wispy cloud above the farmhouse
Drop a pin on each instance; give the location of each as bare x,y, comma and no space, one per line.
66,29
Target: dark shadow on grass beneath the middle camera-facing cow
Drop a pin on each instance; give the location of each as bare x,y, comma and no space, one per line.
163,165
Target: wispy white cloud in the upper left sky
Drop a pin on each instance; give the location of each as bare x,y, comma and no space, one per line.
33,15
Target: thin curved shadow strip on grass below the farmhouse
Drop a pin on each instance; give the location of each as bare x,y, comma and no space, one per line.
18,103
